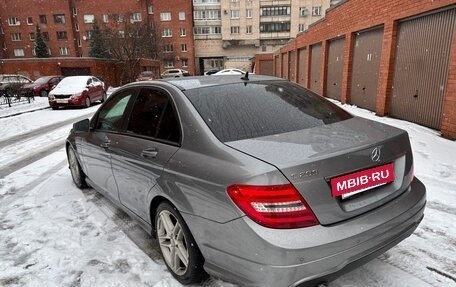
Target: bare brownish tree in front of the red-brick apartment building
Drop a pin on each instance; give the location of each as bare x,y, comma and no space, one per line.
130,41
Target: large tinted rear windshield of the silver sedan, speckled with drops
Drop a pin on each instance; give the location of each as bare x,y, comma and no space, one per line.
243,111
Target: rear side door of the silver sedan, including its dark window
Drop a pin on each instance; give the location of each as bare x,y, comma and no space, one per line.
140,153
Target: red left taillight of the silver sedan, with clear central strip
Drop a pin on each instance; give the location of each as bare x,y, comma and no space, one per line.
274,206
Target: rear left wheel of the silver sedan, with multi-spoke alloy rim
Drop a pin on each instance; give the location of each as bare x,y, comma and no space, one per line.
177,245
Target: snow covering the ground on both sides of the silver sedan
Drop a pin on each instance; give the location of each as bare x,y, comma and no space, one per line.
53,234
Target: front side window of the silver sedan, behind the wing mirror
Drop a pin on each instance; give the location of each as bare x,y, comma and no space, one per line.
110,116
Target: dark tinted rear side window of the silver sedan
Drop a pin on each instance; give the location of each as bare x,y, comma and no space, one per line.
153,115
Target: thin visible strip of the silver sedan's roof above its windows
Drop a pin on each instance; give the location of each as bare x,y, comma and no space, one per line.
194,82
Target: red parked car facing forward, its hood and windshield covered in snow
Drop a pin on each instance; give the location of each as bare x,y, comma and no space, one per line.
79,91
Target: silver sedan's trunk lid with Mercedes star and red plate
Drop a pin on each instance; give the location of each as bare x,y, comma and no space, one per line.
343,155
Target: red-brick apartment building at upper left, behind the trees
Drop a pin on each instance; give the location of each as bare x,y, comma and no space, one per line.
67,25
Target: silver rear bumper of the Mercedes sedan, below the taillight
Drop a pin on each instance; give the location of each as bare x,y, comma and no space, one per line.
248,254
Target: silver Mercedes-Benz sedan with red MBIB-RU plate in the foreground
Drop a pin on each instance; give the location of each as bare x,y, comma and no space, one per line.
251,179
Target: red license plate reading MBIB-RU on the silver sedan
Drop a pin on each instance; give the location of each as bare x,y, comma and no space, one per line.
353,183
